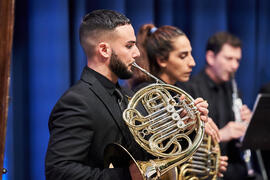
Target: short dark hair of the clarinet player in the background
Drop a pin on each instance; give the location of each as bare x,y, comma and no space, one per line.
216,42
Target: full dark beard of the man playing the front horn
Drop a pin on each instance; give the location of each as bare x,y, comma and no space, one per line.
119,68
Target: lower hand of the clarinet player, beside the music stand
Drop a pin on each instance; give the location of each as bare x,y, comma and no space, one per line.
232,130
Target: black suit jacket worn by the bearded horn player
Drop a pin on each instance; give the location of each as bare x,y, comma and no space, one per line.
83,122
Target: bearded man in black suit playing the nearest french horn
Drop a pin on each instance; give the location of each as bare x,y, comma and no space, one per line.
88,117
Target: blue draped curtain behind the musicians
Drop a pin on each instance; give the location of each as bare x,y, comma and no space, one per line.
47,58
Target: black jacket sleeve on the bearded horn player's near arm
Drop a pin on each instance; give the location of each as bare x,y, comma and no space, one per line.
71,133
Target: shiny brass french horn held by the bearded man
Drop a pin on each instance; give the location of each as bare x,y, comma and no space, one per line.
168,128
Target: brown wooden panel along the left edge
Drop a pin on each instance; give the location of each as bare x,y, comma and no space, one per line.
6,36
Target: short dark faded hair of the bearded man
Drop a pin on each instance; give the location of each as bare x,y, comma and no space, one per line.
96,22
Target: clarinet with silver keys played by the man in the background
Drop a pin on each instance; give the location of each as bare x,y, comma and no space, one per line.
237,104
